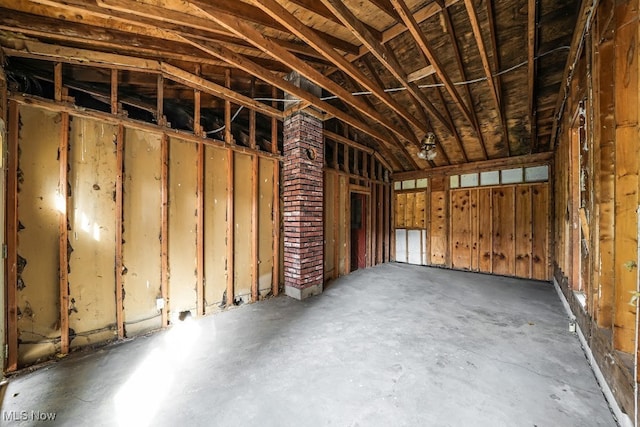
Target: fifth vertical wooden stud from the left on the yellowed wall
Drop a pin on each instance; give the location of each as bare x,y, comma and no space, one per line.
200,246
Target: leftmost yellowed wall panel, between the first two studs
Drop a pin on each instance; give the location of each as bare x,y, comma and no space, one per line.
39,207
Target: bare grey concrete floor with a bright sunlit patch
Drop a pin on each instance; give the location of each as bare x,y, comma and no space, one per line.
395,345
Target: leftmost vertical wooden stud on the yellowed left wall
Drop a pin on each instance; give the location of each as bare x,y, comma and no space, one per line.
12,237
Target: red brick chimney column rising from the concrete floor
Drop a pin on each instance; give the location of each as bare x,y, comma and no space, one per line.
303,202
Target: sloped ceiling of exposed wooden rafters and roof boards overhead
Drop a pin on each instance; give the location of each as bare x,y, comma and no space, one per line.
484,76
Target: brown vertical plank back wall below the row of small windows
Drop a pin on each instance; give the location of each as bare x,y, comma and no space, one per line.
501,230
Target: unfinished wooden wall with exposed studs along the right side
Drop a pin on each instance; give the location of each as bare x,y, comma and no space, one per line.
596,193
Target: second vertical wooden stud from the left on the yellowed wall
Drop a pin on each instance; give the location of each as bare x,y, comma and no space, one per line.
63,234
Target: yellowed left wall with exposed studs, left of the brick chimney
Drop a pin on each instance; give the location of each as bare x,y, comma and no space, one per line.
159,218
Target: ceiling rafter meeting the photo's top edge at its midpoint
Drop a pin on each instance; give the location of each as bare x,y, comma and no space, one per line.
384,55
